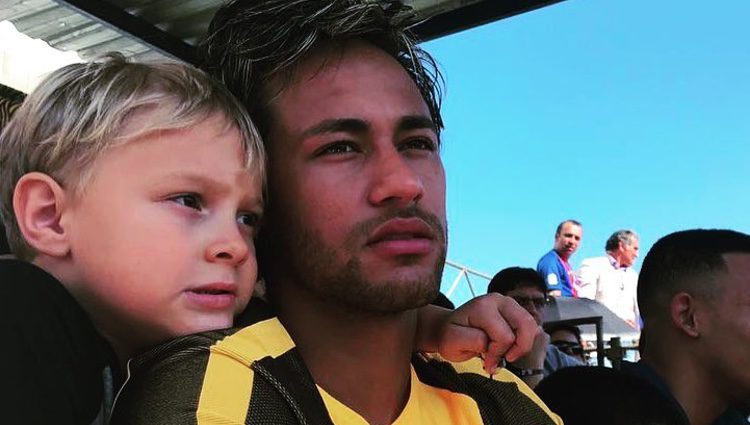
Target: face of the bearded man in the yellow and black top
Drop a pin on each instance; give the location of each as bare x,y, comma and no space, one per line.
356,183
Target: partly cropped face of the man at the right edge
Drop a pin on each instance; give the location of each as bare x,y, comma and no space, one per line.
726,338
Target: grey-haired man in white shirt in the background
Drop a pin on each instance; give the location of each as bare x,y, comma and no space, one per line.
611,279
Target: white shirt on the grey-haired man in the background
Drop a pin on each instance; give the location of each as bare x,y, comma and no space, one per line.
602,279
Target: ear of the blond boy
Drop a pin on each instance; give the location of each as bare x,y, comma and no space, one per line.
38,202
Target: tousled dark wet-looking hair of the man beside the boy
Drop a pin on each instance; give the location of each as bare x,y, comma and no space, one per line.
250,43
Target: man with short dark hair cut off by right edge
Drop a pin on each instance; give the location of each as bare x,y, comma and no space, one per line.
694,297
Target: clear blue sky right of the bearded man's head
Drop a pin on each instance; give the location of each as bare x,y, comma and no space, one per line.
621,114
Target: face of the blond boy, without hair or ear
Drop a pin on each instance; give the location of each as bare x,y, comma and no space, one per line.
162,235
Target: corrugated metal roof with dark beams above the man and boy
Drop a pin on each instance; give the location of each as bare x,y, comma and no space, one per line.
146,29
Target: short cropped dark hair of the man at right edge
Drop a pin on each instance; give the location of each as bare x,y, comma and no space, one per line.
685,261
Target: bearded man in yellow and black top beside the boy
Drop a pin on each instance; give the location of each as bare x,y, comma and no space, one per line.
354,238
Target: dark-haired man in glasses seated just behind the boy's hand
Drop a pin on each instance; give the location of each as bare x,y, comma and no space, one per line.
527,288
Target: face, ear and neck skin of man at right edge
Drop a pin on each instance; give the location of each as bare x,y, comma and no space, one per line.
706,343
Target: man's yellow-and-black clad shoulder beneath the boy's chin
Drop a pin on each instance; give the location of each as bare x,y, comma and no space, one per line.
217,373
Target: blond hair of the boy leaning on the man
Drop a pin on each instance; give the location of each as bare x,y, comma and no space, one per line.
81,110
